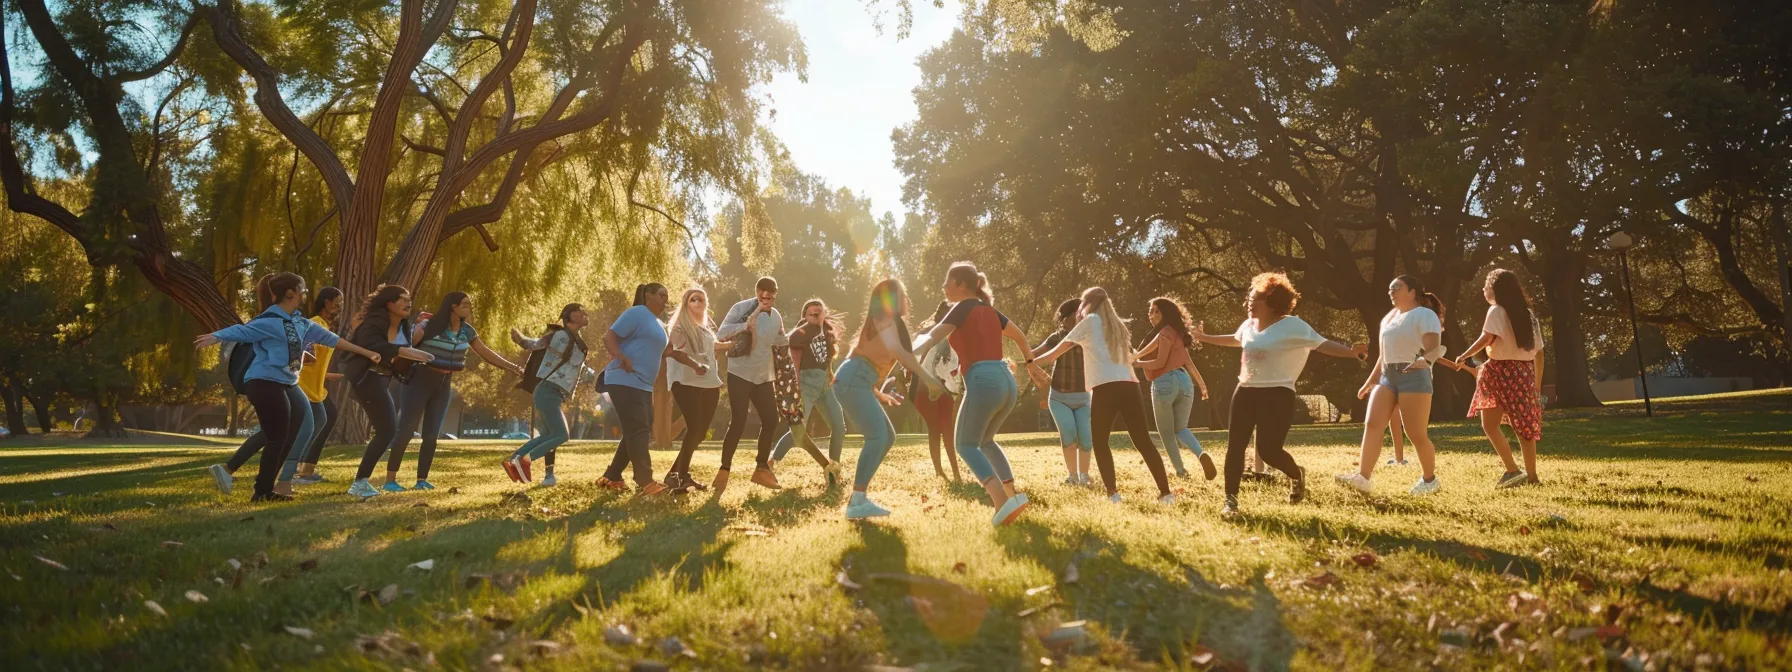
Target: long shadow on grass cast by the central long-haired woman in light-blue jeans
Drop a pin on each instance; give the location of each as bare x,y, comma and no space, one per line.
924,619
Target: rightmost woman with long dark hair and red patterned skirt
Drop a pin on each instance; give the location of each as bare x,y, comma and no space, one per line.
1512,384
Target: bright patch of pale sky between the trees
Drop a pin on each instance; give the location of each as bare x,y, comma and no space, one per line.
859,89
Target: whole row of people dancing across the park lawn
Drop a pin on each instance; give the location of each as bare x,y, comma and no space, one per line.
960,379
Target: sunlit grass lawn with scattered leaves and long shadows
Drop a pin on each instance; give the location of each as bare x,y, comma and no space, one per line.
1653,544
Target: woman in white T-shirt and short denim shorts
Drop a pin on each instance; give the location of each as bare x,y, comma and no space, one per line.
1402,379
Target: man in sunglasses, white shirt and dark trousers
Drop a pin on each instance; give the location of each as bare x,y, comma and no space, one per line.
752,375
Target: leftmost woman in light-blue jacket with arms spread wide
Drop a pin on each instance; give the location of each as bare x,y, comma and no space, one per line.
280,338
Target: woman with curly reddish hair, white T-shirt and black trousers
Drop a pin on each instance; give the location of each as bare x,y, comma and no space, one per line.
1275,352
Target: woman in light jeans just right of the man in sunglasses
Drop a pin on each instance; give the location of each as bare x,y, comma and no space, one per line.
814,341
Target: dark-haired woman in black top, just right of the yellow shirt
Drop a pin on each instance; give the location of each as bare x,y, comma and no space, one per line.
383,327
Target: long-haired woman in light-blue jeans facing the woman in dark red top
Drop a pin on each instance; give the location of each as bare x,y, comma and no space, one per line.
881,345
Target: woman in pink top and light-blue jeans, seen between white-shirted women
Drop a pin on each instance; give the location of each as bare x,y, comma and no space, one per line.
1173,383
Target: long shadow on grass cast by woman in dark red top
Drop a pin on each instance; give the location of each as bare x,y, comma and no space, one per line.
1157,616
